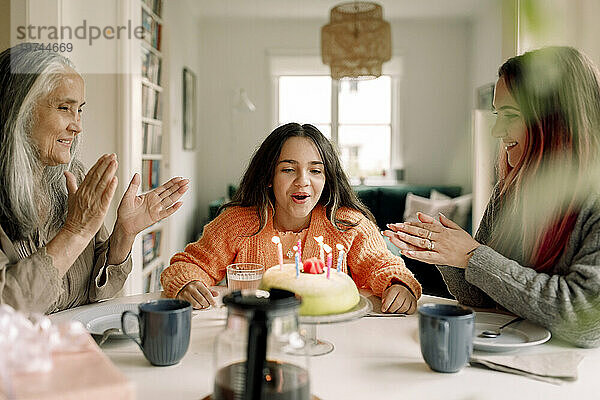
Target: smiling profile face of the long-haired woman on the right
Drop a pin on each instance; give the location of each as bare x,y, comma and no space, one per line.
510,125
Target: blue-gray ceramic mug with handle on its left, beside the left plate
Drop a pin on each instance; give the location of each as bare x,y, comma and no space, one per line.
164,327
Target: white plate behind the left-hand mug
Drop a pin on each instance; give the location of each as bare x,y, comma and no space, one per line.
103,316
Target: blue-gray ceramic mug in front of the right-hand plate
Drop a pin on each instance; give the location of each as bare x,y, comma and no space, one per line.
446,334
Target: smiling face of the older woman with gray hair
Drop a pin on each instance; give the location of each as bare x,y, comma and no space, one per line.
57,120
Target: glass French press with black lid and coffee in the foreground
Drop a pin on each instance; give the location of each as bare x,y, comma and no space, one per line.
260,354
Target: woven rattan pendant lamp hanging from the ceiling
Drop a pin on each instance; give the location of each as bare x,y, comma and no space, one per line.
357,41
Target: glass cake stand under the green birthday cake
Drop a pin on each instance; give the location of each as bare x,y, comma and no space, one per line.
308,326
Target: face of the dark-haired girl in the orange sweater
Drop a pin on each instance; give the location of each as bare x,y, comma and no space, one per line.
298,182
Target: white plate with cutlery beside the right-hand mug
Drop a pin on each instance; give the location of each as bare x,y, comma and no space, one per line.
515,336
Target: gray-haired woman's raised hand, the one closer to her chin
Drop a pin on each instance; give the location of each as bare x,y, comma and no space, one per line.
88,203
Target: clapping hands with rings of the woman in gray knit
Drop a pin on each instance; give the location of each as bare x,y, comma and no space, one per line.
440,242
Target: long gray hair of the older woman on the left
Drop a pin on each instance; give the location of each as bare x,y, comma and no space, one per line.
27,76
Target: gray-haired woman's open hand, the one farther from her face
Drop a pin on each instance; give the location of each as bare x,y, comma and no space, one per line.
135,213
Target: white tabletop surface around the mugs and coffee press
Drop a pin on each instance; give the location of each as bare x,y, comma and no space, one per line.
374,358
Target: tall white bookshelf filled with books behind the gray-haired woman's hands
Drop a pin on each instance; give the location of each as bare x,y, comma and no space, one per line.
143,144
